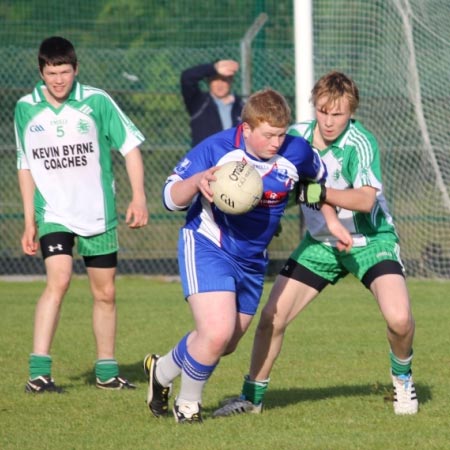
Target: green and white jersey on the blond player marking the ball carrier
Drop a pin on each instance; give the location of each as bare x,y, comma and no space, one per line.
352,161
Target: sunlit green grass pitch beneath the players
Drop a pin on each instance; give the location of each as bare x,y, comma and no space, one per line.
330,387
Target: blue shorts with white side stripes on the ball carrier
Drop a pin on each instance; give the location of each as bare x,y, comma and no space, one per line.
205,267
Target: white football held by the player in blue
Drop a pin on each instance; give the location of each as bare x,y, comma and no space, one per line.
238,188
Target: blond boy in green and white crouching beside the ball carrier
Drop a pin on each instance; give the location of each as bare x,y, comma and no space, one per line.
354,188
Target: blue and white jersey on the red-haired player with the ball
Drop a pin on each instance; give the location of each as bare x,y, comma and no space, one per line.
246,236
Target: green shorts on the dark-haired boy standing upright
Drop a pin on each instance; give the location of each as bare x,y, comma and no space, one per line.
100,244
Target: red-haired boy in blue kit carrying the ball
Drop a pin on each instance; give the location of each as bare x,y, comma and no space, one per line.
222,257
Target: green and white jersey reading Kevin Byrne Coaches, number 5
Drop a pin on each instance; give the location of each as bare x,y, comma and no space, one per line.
68,151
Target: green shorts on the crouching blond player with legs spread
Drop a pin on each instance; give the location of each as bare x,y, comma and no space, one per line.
332,265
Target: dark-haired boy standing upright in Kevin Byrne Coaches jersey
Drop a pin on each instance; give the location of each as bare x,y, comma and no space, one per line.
65,132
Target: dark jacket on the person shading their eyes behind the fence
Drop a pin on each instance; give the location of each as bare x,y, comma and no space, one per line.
205,119
